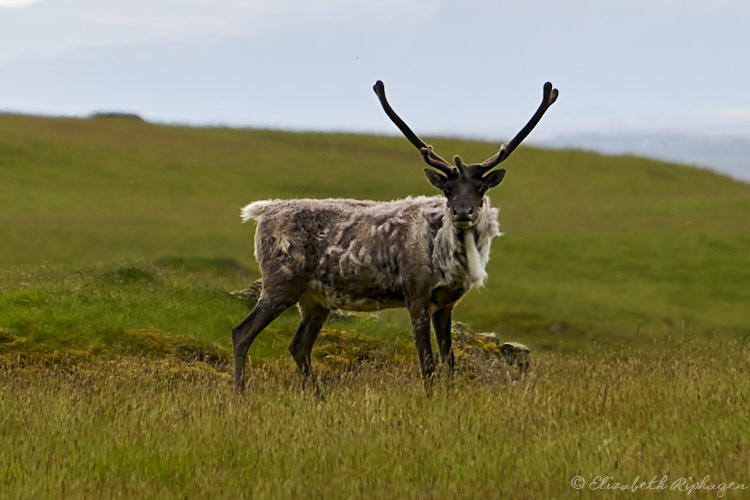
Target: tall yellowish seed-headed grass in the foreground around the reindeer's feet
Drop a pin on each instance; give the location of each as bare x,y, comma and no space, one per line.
145,427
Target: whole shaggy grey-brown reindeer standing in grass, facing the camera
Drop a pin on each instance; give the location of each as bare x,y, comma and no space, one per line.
421,253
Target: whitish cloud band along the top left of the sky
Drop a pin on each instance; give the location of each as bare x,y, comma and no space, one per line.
52,28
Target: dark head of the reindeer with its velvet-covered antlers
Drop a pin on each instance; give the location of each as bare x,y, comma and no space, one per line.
464,185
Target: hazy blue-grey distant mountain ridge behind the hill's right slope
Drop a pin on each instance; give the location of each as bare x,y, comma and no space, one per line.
728,155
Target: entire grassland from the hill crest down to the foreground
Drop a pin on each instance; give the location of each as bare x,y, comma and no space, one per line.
121,241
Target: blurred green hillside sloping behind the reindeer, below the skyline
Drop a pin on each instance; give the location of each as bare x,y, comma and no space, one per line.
596,249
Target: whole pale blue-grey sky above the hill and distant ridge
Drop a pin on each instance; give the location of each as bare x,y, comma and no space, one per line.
471,68
